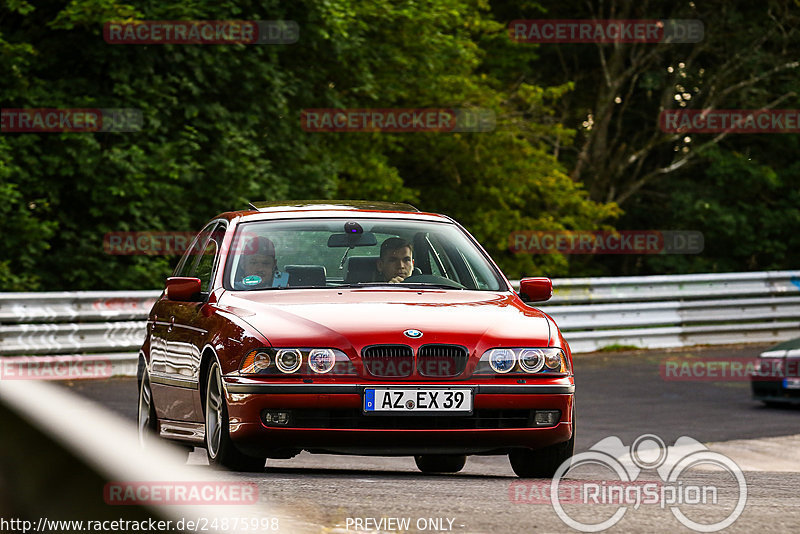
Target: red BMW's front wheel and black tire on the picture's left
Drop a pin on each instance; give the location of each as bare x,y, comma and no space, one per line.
220,448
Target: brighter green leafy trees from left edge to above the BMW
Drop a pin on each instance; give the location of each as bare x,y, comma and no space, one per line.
221,126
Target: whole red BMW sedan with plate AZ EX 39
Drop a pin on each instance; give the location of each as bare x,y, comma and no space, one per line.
354,328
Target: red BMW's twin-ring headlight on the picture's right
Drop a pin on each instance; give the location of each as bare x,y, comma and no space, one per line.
523,360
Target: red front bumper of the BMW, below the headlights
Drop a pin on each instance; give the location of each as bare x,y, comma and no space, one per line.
329,418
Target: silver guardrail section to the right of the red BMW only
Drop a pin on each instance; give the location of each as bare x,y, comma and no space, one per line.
673,311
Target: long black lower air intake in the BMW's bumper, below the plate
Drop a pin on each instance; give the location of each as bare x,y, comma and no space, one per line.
354,419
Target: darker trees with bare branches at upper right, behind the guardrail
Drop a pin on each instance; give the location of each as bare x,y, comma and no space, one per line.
724,185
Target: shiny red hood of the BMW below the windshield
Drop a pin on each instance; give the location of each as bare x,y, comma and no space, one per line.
355,318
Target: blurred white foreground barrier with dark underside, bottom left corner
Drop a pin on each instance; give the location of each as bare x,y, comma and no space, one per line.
61,452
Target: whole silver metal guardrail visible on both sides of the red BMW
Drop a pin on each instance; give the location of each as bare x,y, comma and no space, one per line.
642,311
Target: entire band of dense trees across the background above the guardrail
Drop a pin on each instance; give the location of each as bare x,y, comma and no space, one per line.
222,126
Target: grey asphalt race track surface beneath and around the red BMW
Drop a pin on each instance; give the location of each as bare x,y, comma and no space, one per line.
617,394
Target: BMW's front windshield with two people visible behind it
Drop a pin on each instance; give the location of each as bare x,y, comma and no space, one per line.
354,252
